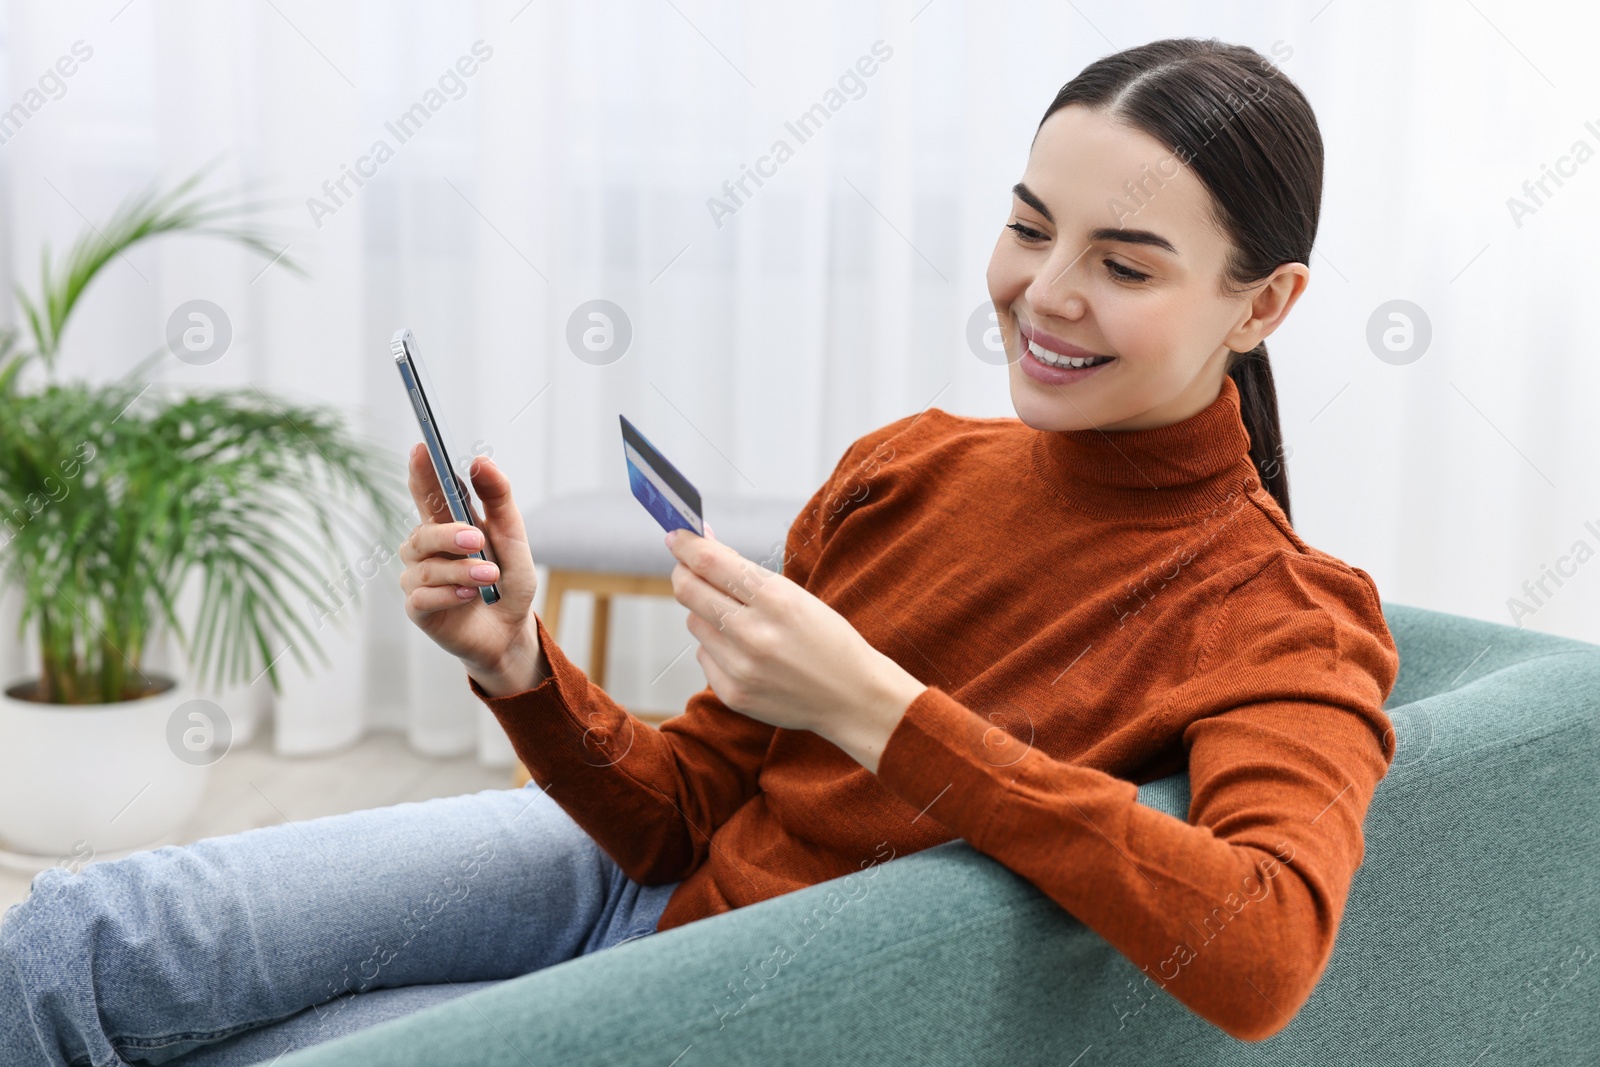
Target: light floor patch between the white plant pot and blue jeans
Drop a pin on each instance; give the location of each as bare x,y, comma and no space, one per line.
254,788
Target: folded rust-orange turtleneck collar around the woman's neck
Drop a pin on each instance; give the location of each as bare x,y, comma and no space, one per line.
1166,473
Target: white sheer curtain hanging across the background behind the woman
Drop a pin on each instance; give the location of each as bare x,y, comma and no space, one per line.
580,158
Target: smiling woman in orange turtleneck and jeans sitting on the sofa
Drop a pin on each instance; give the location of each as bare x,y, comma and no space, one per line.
990,629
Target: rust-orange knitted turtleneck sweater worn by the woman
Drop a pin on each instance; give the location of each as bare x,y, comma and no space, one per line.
1090,612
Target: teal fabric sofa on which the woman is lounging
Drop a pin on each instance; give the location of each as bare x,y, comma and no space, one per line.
1471,935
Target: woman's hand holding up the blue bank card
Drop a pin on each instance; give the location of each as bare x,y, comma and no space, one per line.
774,652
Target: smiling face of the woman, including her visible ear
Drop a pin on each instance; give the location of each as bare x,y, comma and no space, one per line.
1111,252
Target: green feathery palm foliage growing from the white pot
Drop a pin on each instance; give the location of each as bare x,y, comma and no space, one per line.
113,497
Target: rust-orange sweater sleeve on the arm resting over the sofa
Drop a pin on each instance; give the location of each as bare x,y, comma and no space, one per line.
1234,911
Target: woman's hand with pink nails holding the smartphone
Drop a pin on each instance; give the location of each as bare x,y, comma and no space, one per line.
498,644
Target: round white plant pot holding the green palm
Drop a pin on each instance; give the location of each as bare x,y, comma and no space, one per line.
84,781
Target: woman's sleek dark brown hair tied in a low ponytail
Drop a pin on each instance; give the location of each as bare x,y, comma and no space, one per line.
1250,137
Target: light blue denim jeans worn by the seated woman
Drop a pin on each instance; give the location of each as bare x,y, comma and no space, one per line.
234,949
